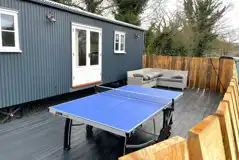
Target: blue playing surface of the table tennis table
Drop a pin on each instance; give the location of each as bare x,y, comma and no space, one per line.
116,111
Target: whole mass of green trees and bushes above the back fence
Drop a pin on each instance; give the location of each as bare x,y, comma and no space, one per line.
189,34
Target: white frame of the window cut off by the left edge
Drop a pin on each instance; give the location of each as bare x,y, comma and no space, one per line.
16,48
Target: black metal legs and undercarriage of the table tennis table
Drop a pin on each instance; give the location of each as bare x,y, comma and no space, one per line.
164,133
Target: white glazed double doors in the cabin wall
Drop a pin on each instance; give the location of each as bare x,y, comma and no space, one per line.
86,55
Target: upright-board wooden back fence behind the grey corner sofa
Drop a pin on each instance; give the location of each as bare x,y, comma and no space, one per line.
208,73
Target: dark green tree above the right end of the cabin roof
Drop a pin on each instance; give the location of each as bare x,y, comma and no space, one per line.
129,10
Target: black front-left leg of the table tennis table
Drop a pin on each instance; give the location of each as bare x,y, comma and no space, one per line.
67,134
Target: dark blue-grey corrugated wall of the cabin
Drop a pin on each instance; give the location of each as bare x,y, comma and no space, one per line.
44,67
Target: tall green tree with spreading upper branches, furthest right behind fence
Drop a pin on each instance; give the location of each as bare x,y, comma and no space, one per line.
203,15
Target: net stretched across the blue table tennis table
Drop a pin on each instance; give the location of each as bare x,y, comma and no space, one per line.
134,95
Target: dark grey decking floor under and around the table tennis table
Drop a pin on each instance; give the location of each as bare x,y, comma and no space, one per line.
39,136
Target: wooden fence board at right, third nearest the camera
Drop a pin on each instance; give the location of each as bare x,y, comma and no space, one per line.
227,132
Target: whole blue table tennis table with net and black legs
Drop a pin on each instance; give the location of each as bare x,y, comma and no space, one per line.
121,111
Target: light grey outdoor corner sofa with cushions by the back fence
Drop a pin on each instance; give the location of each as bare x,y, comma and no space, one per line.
152,77
